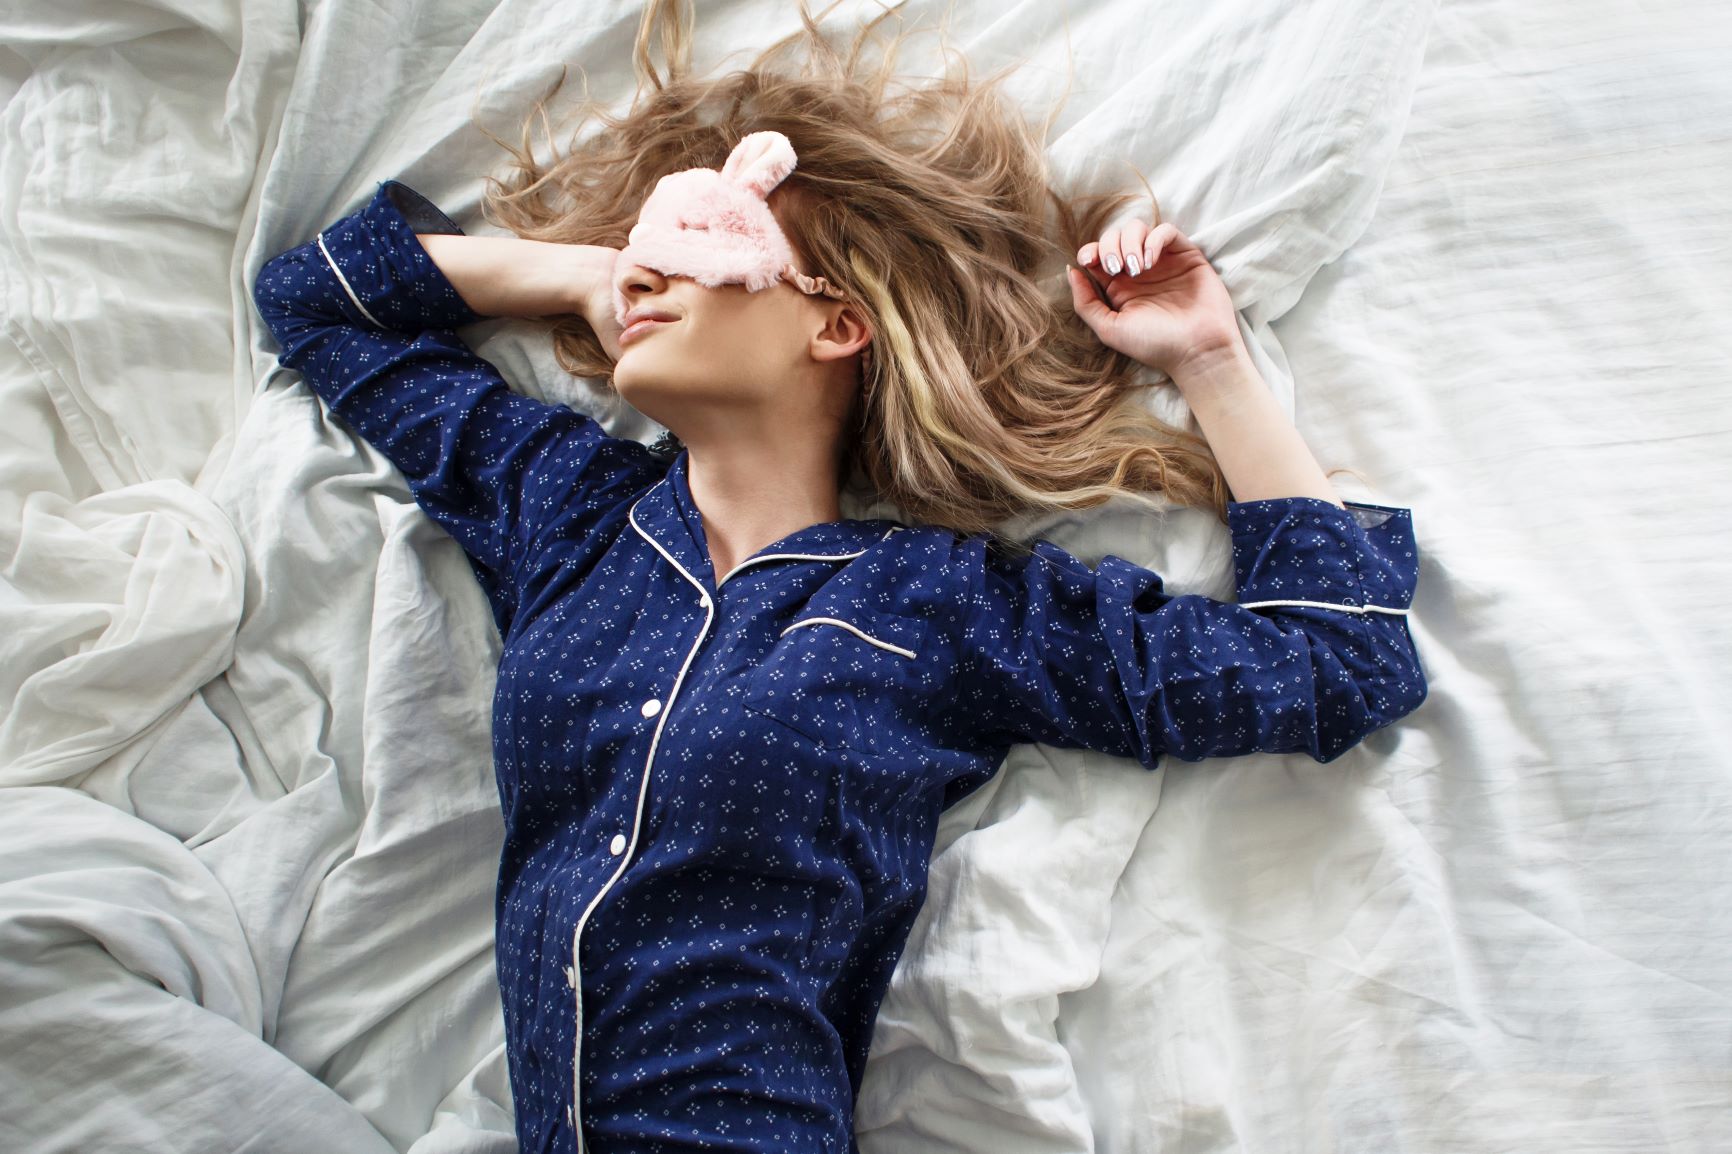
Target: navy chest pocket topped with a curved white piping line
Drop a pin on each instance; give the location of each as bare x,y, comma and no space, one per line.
846,678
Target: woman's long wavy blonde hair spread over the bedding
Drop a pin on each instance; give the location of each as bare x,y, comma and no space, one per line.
988,398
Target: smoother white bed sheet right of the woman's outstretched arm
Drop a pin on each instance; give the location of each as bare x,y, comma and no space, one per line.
1504,926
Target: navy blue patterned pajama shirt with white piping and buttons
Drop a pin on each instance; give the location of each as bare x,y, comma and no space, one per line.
721,789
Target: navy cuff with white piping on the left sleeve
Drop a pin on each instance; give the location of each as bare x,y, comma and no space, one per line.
384,268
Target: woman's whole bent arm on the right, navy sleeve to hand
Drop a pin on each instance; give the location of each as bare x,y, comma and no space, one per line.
1312,658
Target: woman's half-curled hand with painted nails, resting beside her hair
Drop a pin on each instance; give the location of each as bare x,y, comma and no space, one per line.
1167,311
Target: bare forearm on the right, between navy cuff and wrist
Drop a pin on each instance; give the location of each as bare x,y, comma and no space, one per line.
1258,448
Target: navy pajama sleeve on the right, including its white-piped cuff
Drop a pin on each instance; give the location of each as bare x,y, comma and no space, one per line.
1312,659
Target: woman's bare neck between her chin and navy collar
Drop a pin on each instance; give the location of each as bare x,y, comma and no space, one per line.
754,493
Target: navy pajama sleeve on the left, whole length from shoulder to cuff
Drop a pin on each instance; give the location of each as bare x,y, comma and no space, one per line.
366,318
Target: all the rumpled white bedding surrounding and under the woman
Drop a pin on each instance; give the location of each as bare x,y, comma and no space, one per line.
249,827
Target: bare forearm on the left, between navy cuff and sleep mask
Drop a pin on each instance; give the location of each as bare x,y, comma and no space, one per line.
510,278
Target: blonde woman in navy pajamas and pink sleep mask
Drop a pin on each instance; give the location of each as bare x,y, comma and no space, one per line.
728,720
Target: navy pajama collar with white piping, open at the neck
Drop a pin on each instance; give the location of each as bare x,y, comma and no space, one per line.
669,519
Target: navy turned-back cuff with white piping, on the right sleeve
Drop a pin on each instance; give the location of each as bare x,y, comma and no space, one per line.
1310,552
